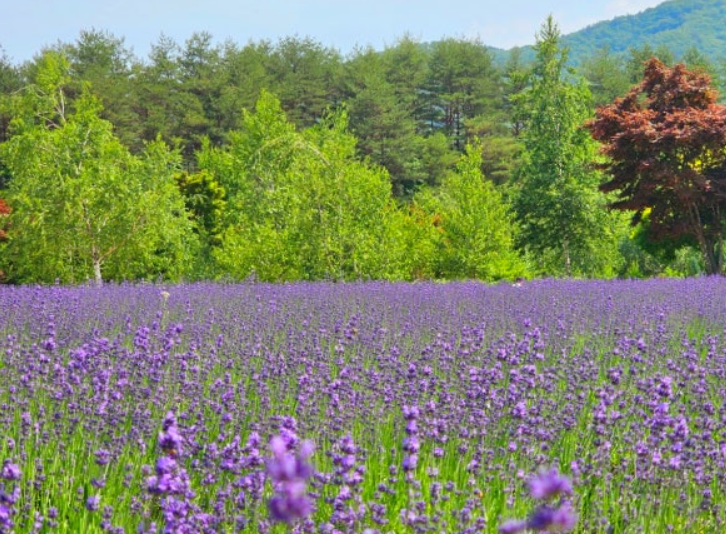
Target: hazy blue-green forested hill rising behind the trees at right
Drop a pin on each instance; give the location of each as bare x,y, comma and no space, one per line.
679,25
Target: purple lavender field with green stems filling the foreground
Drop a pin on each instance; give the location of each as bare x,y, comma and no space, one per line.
371,407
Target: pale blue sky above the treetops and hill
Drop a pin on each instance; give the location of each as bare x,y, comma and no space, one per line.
28,25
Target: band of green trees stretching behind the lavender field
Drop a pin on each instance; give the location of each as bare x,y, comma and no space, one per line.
288,161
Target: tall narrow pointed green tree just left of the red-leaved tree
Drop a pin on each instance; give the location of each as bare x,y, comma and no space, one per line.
558,206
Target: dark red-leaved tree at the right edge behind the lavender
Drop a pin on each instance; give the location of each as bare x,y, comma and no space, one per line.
666,144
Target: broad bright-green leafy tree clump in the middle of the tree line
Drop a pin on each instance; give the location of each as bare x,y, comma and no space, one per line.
301,205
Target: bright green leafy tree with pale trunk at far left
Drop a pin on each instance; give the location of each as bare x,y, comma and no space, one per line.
83,207
